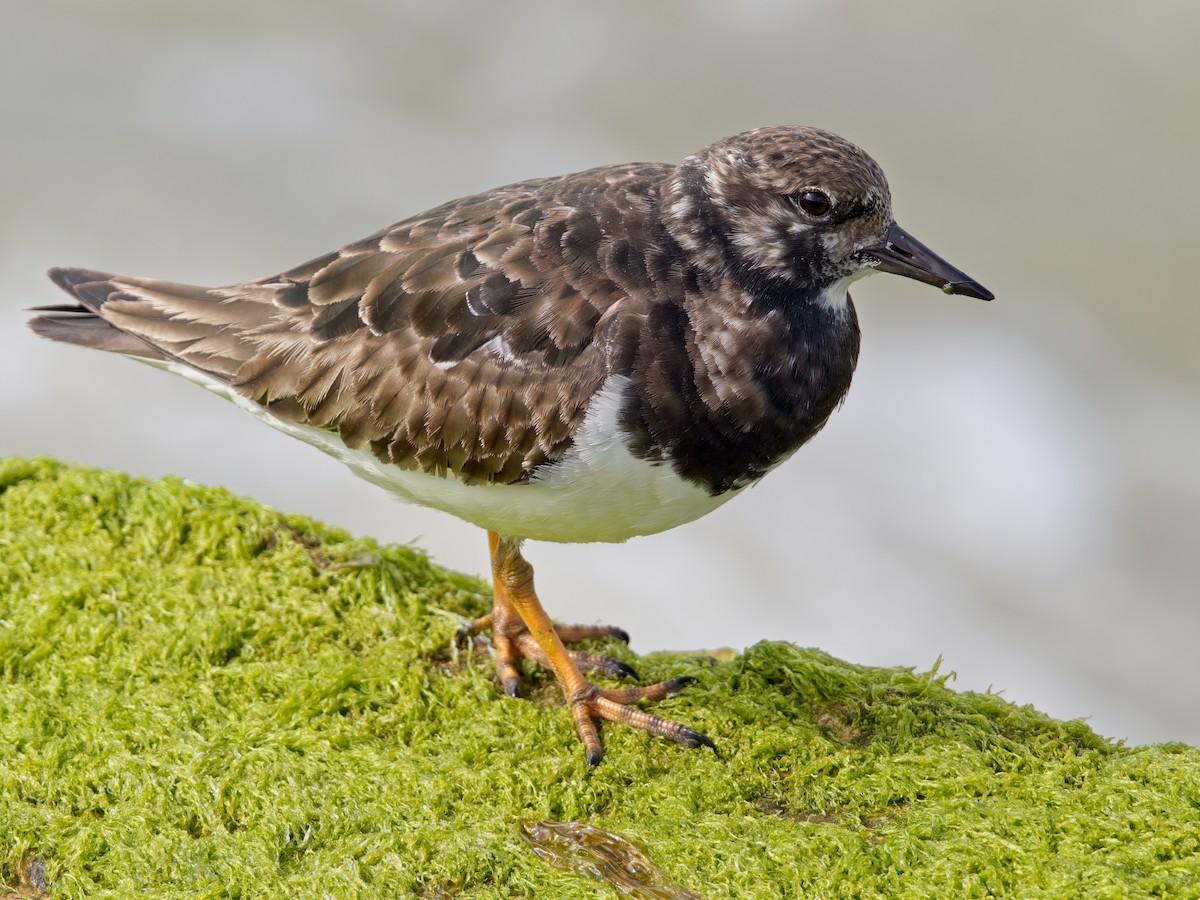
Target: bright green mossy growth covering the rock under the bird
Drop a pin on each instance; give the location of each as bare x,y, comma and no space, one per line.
203,698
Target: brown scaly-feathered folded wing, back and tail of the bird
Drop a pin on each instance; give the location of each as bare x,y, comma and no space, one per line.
466,340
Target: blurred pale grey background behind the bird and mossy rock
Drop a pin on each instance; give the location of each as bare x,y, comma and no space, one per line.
1011,485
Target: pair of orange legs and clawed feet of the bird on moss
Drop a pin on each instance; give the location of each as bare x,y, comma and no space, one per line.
521,628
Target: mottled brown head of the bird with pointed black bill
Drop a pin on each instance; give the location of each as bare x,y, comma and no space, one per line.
802,206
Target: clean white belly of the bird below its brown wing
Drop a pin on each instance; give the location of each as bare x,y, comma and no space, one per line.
599,493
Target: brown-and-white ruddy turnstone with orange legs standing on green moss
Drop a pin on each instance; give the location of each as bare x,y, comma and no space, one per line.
584,358
